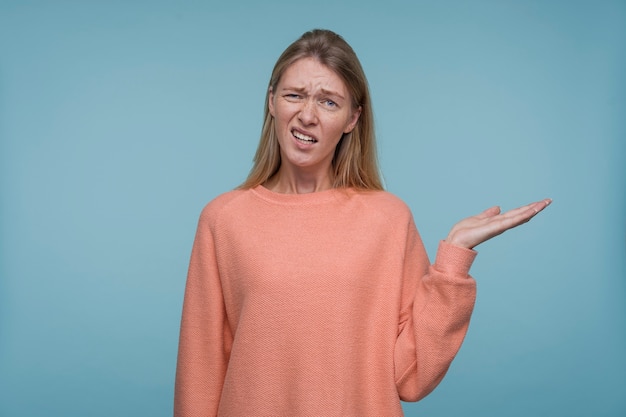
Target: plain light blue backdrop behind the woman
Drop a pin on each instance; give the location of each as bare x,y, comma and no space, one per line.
119,120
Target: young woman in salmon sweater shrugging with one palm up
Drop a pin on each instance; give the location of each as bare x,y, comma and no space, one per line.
309,291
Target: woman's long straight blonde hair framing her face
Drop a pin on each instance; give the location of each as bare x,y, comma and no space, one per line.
355,163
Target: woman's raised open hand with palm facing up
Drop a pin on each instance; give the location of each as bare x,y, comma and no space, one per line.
475,230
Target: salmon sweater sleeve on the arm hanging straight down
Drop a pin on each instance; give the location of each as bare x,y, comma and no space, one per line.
205,337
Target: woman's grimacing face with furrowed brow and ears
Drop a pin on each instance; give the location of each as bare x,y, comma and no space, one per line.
312,109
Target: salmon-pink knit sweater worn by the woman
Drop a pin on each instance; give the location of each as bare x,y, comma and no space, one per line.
321,304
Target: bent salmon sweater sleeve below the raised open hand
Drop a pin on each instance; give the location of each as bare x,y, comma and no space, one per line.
437,304
